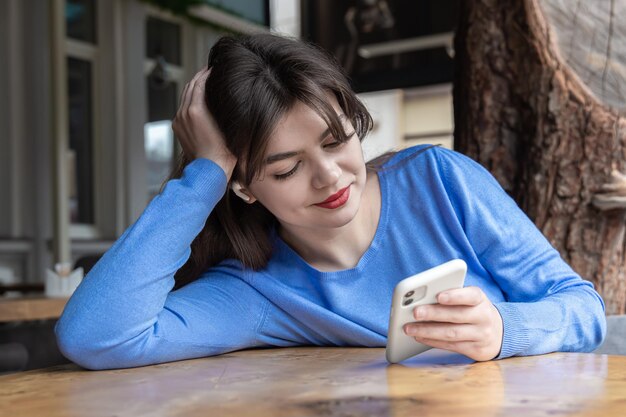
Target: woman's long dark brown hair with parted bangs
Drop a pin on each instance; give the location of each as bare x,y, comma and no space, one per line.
255,80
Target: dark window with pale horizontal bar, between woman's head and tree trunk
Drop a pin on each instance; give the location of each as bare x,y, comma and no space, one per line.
386,44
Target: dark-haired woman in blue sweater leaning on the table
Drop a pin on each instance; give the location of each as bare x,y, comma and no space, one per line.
275,232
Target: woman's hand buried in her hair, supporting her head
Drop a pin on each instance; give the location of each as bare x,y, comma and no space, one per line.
196,129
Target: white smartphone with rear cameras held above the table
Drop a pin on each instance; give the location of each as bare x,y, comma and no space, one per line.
417,290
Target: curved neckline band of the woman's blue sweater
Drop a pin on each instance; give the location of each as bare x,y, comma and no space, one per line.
365,258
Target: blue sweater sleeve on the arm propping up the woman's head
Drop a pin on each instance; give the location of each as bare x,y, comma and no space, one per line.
124,314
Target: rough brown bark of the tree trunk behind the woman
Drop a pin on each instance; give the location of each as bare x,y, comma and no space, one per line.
522,113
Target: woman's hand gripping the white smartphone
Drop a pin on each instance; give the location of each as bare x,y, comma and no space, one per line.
464,321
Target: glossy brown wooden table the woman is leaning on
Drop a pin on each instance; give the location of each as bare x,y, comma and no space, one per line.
327,382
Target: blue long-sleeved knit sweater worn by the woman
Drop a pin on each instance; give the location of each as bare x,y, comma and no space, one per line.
436,206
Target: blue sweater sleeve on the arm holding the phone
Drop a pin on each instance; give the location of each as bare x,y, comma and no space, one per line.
547,307
